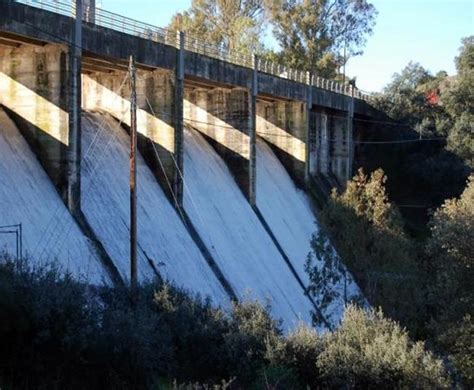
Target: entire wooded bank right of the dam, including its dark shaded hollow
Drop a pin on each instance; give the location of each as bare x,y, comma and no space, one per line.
418,270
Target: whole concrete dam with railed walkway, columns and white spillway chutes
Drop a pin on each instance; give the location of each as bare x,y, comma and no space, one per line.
227,154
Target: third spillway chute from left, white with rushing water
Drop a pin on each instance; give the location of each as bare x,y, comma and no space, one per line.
234,235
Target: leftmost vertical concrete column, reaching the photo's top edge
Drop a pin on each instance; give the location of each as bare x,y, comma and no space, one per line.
73,197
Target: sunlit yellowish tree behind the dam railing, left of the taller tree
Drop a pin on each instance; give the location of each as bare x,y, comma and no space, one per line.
232,25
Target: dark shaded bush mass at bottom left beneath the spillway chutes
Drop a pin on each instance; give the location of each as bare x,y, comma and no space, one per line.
58,332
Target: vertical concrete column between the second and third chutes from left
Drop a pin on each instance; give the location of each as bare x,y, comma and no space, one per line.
178,120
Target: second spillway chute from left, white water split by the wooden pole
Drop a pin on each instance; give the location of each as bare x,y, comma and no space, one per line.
164,244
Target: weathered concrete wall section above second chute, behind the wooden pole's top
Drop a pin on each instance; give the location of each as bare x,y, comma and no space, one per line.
156,117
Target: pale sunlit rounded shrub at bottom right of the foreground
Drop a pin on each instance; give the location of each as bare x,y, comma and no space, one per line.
370,351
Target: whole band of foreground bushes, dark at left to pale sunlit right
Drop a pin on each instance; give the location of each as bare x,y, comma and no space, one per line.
58,333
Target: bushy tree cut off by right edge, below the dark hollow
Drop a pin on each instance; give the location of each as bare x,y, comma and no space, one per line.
450,252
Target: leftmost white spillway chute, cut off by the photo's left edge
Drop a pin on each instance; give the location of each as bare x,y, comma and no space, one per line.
27,196
